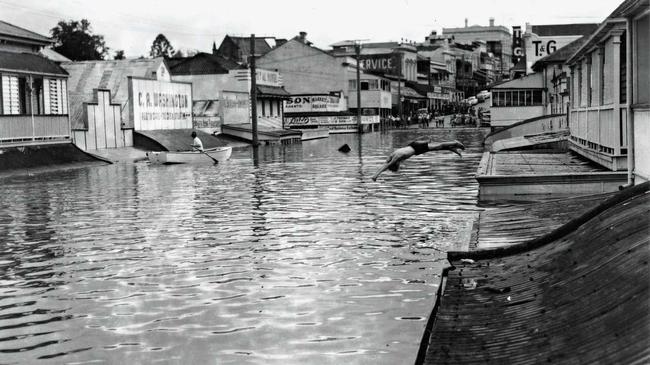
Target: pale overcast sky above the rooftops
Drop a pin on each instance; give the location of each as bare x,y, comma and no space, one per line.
194,24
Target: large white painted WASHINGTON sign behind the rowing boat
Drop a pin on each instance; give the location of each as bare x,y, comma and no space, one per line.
161,104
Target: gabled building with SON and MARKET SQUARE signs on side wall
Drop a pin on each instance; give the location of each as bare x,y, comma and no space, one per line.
323,79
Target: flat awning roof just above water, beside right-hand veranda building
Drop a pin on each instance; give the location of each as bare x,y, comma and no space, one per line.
516,175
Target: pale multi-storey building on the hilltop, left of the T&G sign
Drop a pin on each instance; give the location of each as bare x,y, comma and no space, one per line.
497,38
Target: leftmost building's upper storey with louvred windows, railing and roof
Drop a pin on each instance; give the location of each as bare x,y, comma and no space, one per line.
33,92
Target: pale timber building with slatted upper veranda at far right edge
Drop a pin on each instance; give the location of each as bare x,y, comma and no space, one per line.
609,117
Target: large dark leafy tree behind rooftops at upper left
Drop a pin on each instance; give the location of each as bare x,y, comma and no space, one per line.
74,39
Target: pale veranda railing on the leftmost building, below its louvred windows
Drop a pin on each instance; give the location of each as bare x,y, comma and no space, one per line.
19,128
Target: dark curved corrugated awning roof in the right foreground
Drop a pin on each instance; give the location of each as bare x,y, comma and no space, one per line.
579,295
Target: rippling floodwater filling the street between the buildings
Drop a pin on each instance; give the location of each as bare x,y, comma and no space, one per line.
292,255
